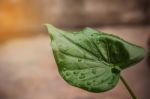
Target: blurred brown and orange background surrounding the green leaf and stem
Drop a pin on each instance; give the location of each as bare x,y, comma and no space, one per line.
27,66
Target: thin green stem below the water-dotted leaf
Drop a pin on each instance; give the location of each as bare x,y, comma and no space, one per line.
128,88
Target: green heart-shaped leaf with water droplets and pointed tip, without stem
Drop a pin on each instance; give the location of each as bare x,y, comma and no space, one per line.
92,60
